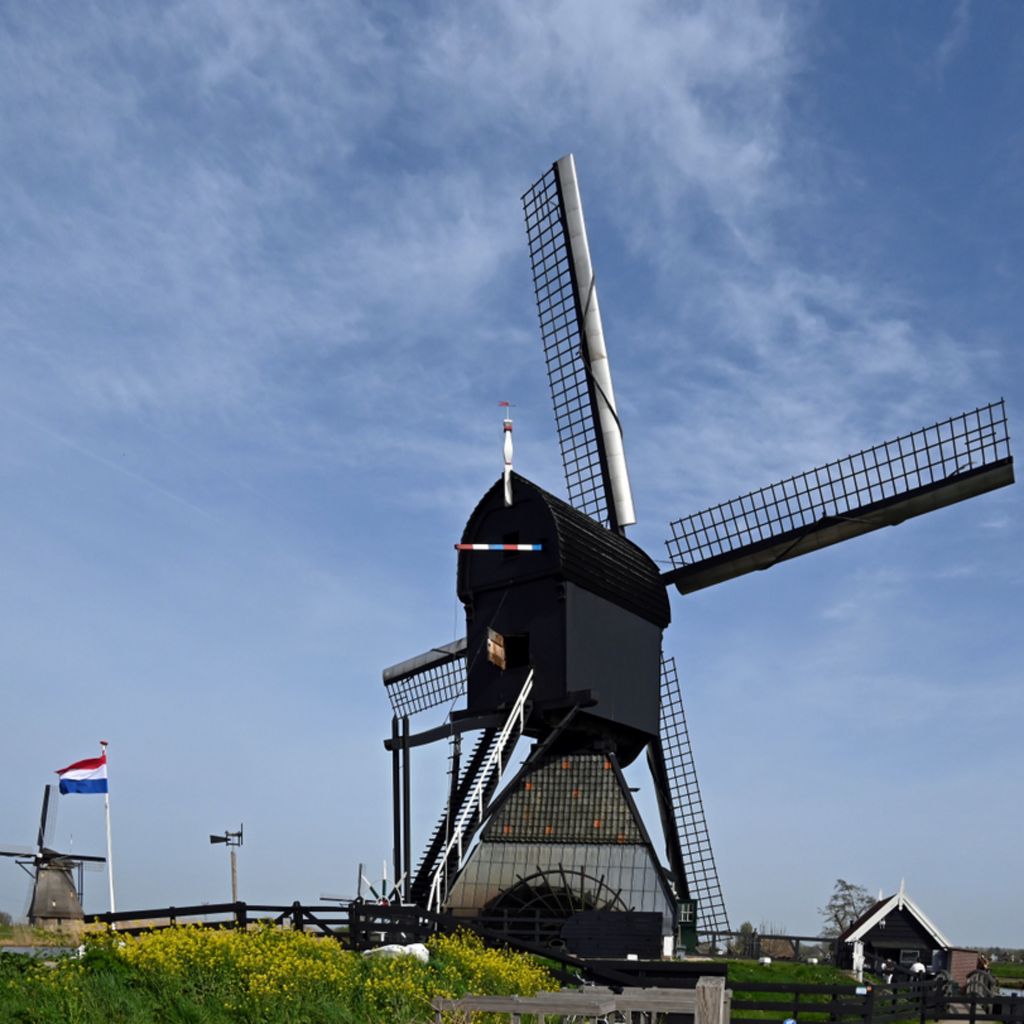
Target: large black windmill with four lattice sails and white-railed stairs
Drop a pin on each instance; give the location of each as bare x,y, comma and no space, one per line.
564,647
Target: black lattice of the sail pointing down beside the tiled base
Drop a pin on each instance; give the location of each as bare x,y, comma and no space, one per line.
688,806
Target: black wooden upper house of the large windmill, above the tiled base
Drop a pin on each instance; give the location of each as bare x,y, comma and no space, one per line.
586,612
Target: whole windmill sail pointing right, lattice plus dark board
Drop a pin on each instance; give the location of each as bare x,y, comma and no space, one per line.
940,465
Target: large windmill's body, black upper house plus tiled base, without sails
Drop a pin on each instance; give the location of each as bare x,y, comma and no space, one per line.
565,845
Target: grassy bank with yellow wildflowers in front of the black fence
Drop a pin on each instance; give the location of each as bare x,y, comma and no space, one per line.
271,976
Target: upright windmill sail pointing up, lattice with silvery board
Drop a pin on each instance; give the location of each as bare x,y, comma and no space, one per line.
589,433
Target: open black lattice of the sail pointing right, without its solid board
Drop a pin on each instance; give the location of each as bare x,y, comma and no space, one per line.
842,489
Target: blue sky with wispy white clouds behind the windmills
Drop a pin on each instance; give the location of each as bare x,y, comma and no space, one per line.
264,284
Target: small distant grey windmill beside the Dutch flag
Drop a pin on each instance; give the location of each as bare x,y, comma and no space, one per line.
57,878
